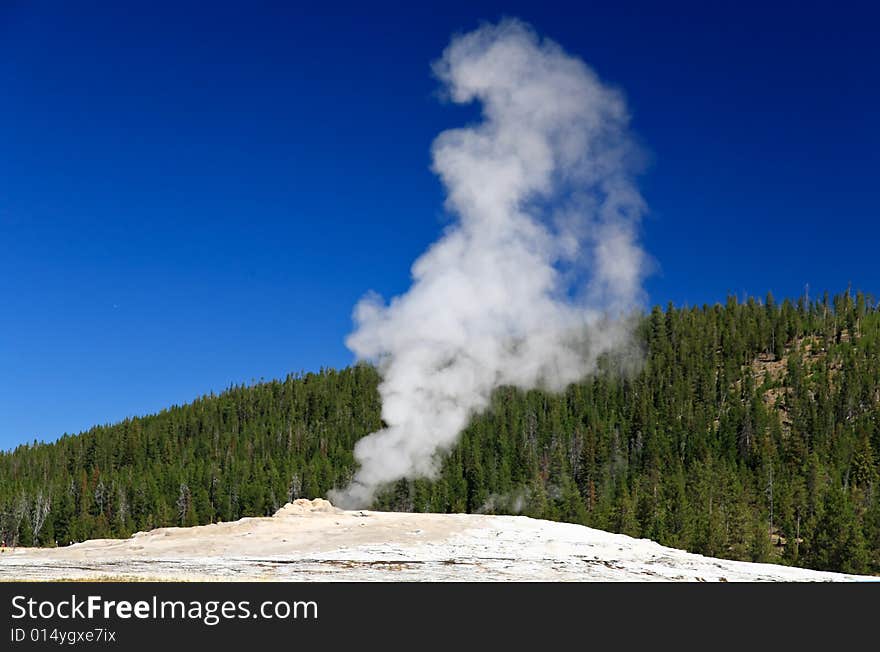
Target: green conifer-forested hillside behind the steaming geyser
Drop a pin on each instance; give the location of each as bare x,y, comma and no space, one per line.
749,433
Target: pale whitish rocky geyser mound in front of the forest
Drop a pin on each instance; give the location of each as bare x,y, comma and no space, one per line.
314,541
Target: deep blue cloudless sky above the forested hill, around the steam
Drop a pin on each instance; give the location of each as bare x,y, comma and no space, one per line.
193,196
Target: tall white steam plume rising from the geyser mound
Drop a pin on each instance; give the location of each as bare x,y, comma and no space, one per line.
528,286
